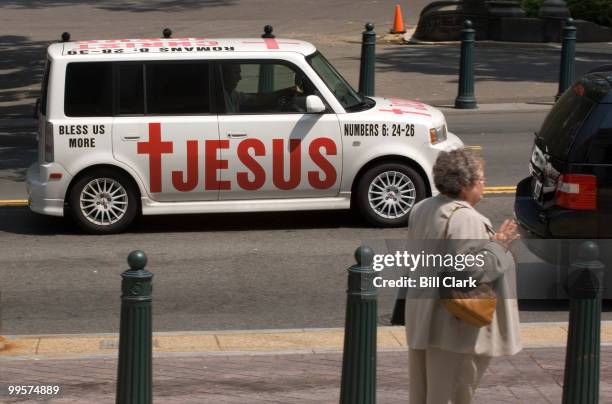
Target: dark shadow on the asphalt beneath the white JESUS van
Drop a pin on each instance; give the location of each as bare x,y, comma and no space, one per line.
20,220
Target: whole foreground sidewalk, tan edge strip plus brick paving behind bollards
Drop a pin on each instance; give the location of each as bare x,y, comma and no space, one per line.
274,366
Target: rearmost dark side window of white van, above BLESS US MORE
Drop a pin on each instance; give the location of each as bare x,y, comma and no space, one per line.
89,89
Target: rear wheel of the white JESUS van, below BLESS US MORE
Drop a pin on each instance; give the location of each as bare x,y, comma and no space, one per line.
103,202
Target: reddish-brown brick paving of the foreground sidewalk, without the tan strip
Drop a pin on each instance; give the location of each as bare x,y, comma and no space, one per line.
533,376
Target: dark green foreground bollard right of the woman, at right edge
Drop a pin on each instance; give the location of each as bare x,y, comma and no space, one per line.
582,358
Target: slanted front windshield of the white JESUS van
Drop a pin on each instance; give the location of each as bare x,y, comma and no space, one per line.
346,95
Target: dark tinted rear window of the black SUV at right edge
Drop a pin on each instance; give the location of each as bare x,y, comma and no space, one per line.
562,124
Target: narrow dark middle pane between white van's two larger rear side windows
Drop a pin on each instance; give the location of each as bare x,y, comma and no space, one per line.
131,89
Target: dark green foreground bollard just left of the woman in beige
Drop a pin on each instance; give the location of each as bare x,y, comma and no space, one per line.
358,385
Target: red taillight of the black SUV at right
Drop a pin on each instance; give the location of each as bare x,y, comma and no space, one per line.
577,191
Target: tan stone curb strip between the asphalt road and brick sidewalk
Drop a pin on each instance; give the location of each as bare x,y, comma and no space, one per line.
248,342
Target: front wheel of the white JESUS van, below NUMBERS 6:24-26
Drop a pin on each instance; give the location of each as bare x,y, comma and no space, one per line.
387,192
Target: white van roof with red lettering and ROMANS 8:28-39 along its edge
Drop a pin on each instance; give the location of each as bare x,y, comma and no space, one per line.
175,45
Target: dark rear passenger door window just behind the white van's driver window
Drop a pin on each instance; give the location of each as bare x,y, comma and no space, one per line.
177,88
